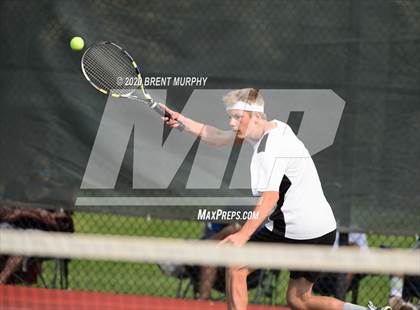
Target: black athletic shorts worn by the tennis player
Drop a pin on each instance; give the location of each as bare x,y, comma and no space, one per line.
264,235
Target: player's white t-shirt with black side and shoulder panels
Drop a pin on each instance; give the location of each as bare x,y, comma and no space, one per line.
281,162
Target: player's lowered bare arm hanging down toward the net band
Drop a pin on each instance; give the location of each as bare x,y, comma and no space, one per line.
264,207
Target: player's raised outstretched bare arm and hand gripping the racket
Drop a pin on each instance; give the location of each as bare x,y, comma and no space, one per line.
208,134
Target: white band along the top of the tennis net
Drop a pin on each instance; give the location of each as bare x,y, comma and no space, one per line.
198,252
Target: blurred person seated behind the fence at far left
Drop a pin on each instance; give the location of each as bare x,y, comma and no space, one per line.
35,202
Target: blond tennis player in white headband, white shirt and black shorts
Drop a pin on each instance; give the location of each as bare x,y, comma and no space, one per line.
292,206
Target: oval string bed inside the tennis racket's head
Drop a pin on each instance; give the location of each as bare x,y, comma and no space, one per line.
108,67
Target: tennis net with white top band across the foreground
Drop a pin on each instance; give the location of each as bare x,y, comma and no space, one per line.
183,263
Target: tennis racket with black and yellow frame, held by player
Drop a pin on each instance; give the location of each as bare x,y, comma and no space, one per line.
111,70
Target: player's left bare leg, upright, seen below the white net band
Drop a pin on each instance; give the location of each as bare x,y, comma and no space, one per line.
236,288
